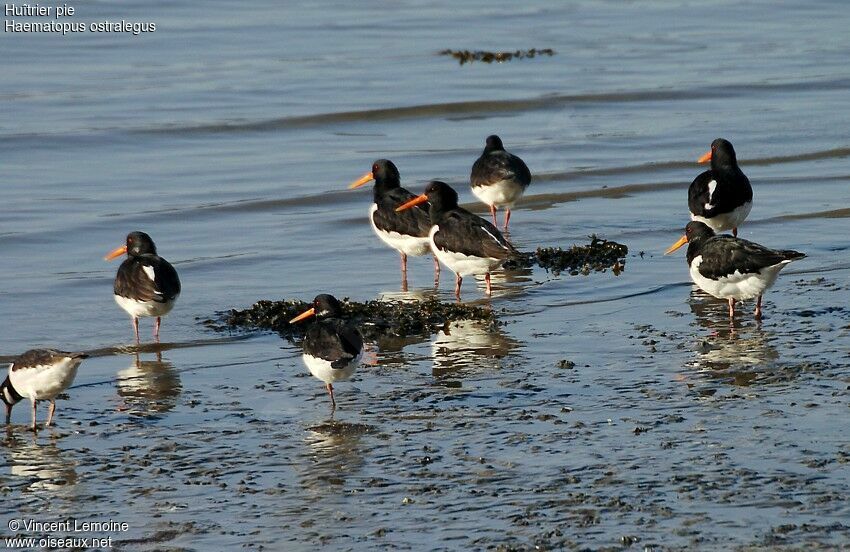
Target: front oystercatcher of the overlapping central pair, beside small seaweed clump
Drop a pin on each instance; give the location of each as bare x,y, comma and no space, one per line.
464,242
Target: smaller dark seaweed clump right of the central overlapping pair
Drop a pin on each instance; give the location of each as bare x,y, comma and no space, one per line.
597,256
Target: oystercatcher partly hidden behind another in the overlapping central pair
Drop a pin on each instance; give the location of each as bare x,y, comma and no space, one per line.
406,232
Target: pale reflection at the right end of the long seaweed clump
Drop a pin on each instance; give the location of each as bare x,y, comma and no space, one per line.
467,344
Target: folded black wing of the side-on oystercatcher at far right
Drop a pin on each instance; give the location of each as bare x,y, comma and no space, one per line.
723,255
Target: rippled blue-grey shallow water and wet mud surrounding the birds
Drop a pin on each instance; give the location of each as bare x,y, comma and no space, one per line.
230,135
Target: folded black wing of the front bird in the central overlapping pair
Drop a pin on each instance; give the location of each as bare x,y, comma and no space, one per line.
462,232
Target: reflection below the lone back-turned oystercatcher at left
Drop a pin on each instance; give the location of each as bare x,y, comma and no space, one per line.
149,387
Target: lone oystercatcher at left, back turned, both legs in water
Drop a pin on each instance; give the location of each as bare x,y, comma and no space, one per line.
146,284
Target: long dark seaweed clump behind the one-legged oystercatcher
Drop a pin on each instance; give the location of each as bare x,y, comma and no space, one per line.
376,319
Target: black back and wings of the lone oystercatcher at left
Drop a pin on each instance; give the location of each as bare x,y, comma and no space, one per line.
133,279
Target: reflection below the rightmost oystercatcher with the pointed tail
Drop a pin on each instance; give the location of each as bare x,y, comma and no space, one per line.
740,353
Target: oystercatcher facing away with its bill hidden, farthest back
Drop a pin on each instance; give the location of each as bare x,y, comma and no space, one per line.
499,178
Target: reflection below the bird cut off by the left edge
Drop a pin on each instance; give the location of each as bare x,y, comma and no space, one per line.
39,463
